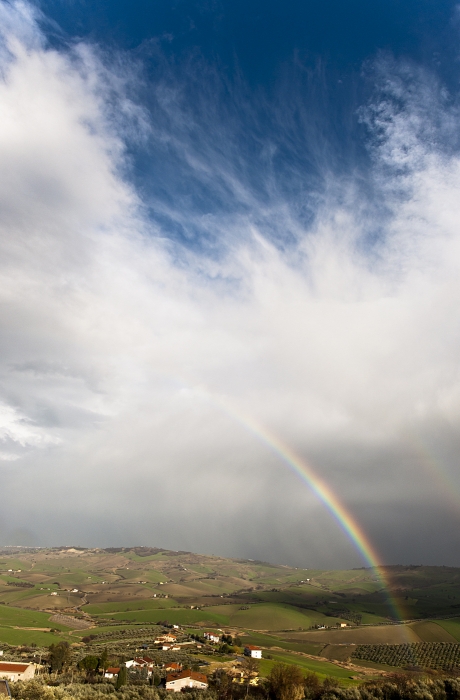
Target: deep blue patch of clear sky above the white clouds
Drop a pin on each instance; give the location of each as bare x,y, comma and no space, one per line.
287,80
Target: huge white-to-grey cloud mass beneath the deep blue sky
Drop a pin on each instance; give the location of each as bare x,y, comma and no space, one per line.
108,347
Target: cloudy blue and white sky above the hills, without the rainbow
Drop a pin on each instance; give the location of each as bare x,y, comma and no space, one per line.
225,226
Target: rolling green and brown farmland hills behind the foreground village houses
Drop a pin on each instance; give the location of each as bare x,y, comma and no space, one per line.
124,595
